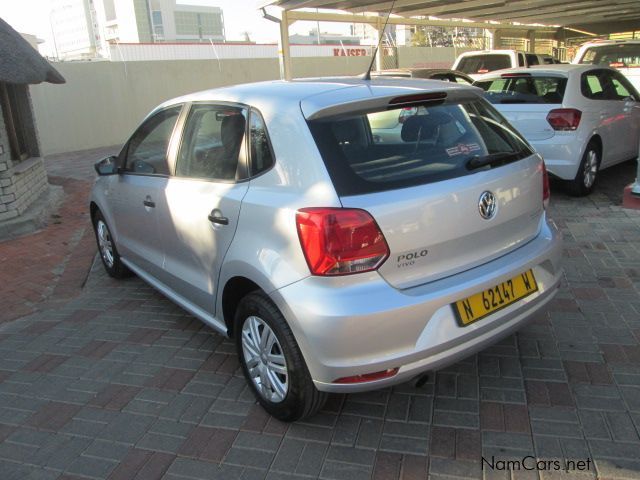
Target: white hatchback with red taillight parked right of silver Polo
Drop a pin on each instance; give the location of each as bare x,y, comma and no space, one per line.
581,118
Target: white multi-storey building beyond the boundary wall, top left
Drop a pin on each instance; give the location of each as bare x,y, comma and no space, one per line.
83,29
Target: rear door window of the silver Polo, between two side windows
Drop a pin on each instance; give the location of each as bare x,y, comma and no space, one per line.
212,143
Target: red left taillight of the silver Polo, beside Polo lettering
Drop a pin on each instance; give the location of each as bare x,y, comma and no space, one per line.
340,241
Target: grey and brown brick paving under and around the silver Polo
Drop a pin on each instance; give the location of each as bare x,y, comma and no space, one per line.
119,383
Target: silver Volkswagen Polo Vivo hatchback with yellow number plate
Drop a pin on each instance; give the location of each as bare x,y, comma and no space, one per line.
348,234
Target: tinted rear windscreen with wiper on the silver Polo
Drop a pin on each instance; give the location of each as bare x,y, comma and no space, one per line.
402,147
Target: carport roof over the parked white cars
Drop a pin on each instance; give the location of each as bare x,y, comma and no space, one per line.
568,13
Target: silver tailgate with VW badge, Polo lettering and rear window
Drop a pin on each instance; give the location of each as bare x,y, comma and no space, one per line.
426,189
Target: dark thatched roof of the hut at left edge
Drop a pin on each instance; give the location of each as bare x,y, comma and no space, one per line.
20,62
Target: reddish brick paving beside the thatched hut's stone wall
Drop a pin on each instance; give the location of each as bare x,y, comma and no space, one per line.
49,267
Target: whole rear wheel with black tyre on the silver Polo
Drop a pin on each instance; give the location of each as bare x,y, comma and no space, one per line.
287,396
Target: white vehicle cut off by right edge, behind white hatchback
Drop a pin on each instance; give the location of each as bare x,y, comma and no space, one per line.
623,55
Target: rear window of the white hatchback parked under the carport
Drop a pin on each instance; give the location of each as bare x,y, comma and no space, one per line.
525,89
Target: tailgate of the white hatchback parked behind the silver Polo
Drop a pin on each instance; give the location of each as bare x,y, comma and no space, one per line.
526,100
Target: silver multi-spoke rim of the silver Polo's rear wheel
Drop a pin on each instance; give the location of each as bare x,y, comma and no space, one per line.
264,359
